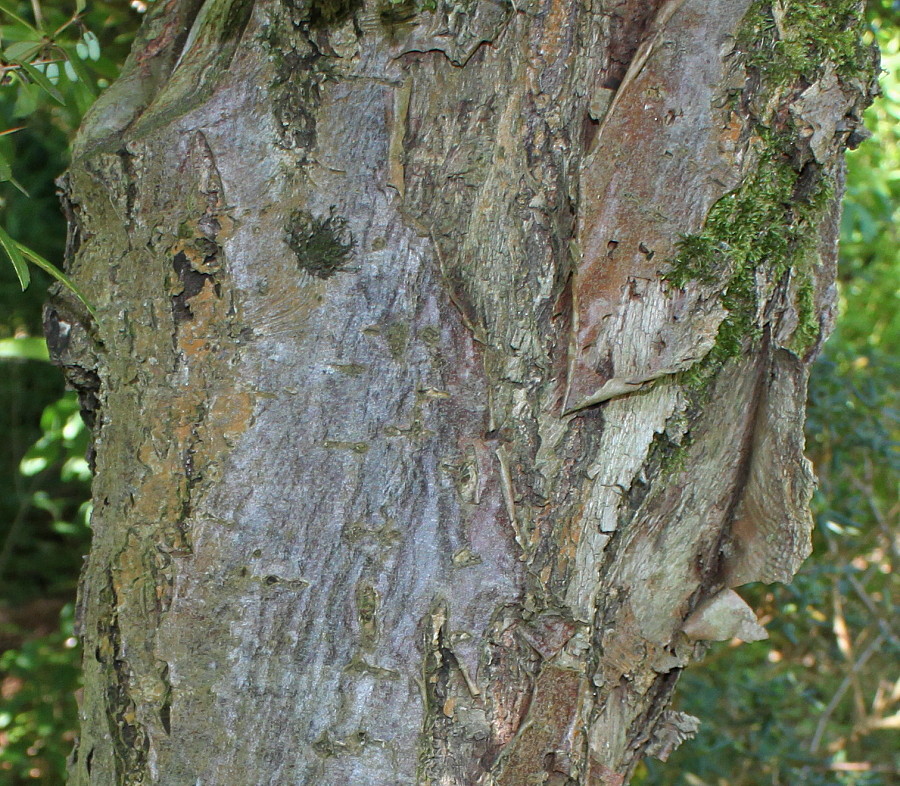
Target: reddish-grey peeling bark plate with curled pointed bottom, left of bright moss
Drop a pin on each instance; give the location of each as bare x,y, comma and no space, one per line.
625,215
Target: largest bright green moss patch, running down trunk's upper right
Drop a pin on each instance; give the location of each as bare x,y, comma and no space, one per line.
770,222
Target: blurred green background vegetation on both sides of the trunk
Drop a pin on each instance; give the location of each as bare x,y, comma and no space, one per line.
816,704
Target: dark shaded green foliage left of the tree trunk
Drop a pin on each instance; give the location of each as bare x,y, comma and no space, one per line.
43,474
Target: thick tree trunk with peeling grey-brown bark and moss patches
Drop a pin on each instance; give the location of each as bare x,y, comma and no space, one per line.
449,374
